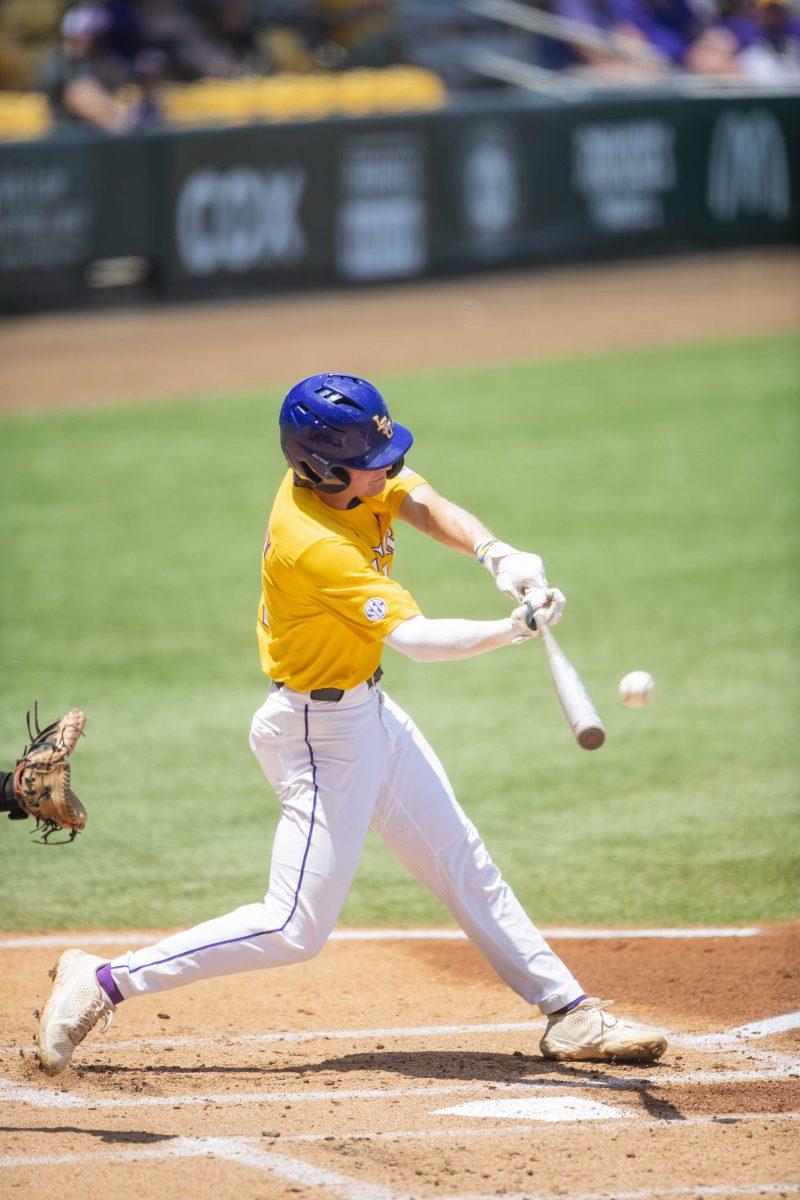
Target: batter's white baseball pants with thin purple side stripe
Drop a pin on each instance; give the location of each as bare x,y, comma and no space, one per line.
340,770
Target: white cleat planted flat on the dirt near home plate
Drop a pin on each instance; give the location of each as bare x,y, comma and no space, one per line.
590,1034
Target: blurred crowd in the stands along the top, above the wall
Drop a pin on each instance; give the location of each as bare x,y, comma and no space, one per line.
91,53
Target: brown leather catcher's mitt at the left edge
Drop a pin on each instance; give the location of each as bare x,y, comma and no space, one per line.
43,777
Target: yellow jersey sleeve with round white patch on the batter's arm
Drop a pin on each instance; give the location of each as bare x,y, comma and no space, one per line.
336,575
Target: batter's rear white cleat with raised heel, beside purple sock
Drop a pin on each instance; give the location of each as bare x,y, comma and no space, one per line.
76,1005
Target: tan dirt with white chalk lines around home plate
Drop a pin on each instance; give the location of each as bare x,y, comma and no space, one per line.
396,1069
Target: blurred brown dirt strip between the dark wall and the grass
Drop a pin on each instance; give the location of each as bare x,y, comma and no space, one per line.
127,355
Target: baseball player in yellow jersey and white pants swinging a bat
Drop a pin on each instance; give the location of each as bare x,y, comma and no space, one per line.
342,757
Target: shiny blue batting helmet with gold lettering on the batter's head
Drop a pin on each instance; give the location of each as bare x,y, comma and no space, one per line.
330,423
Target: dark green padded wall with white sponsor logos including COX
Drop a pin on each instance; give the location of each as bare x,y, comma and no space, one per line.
489,184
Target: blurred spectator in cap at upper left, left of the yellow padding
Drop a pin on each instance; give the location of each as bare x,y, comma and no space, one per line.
81,77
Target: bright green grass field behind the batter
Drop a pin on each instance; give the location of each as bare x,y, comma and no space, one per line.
661,490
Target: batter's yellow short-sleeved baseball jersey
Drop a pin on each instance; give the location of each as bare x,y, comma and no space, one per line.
328,598
